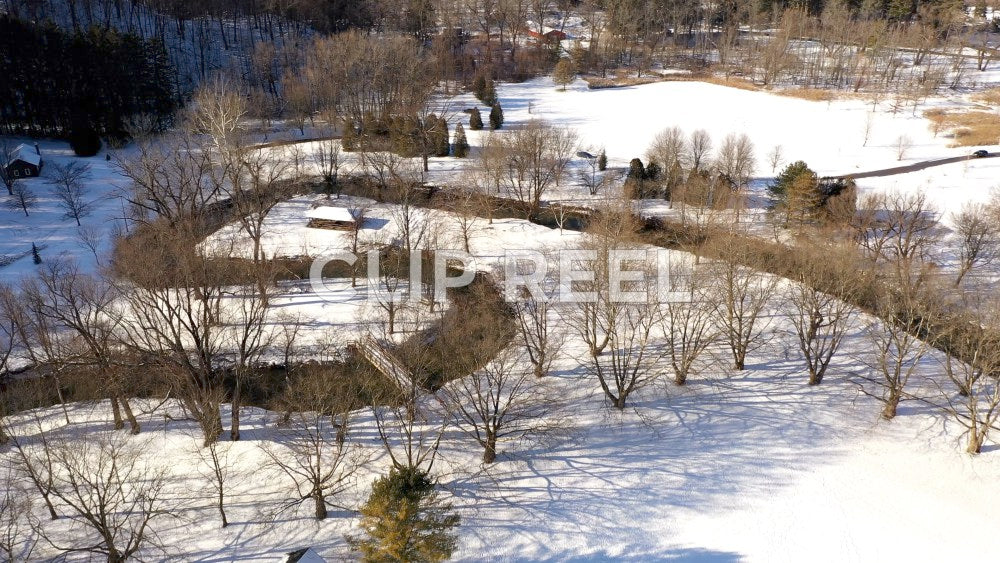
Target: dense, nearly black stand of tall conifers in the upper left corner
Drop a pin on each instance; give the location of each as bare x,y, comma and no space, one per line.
56,83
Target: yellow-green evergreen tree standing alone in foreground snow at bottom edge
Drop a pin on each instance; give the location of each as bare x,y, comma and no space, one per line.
403,520
